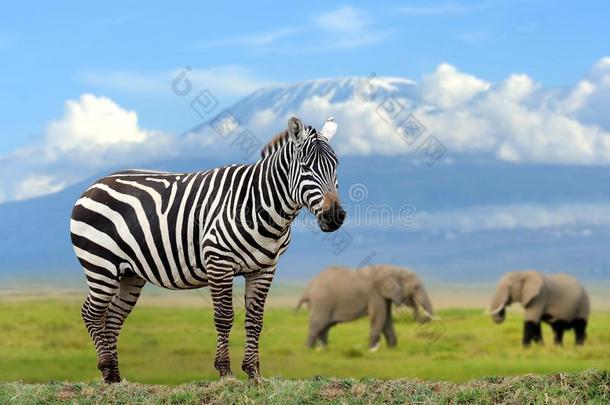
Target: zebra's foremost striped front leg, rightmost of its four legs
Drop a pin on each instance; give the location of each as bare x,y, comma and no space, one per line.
257,287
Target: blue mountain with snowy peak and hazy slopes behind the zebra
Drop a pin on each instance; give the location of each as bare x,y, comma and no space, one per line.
463,217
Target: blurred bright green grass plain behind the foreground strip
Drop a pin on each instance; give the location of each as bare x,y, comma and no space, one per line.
45,340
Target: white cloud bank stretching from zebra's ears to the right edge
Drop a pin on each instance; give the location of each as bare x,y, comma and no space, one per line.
516,120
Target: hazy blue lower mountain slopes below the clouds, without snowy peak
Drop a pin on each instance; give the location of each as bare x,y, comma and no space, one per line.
35,238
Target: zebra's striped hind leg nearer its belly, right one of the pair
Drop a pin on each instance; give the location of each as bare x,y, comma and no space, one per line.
119,309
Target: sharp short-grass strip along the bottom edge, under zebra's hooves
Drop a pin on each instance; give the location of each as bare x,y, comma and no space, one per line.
585,387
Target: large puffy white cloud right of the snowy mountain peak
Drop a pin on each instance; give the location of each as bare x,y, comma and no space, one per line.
516,120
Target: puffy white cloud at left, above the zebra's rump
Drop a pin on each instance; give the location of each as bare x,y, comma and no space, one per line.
93,134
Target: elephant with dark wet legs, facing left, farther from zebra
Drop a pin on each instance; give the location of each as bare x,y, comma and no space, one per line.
557,299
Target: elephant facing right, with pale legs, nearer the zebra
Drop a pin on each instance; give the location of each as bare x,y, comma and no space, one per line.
341,295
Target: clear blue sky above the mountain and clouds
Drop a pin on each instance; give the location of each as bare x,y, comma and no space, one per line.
127,51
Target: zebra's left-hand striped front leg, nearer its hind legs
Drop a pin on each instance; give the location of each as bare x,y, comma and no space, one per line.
221,288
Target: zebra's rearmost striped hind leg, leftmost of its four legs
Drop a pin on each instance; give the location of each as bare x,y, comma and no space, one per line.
94,312
